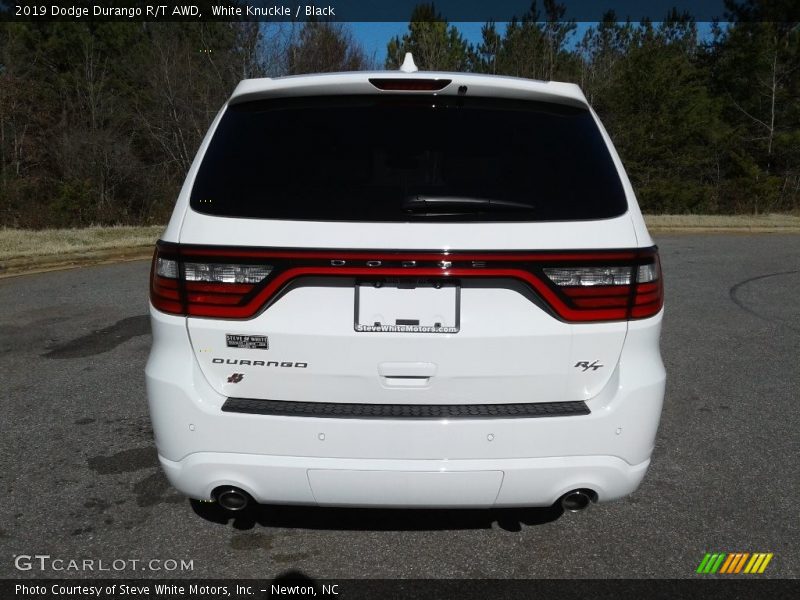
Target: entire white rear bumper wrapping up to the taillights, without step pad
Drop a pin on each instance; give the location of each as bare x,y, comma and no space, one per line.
438,462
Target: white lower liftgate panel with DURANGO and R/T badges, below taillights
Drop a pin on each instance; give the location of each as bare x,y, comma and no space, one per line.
507,350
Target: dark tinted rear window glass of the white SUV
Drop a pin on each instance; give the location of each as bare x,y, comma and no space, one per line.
407,158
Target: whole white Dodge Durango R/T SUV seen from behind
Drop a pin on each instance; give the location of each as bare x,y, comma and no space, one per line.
406,289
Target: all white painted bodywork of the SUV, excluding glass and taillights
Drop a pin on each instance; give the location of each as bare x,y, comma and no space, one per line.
507,350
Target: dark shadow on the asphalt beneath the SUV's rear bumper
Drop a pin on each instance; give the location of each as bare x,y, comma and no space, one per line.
375,519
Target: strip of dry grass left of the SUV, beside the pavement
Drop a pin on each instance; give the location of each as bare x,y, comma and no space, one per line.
23,243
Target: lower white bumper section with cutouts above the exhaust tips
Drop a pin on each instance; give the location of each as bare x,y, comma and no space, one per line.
404,483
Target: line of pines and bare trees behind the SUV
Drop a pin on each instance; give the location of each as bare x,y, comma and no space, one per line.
99,122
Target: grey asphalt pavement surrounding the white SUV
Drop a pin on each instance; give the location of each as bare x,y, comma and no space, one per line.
80,479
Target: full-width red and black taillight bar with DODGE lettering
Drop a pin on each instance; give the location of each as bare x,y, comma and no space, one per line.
237,283
